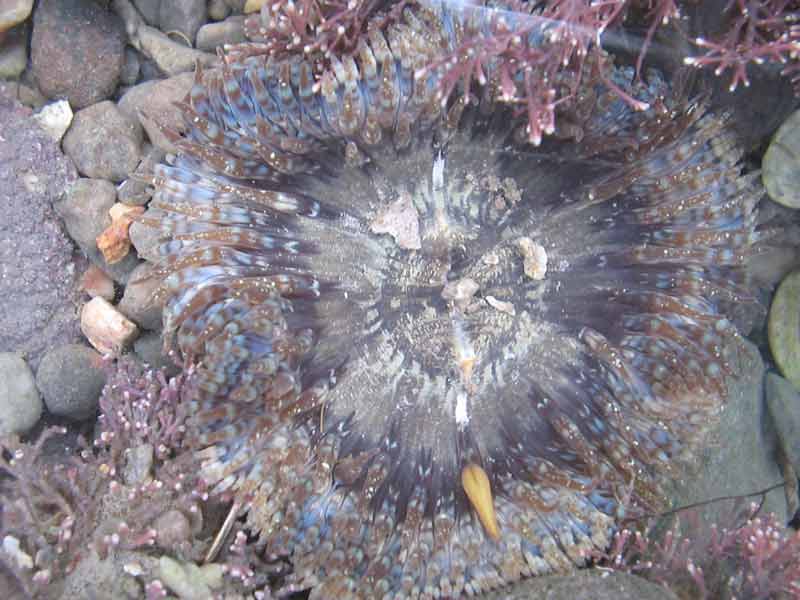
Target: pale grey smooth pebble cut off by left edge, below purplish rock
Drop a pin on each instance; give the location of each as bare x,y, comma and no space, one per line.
20,404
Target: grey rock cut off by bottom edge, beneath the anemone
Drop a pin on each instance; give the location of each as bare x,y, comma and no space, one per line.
586,585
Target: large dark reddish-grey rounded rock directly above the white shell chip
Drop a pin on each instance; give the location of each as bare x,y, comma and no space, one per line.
77,50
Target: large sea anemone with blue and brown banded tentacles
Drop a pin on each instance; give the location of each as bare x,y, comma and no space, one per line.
432,357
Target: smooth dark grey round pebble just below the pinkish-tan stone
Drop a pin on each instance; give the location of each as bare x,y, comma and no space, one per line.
71,378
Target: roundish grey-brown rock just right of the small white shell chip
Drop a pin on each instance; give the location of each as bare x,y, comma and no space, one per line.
103,142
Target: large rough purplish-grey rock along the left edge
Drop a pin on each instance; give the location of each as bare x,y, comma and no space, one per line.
39,282
